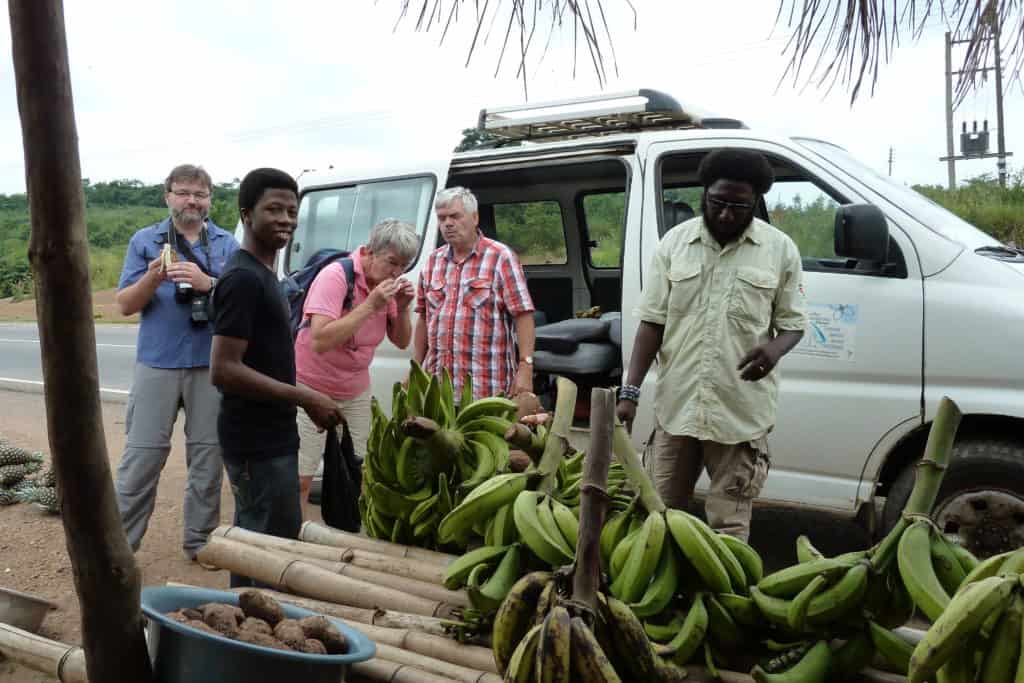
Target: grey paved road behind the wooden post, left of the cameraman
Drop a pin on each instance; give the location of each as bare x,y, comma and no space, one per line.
115,352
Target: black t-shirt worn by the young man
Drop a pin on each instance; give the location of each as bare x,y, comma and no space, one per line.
248,305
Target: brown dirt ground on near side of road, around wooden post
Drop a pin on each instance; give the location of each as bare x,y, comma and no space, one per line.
33,553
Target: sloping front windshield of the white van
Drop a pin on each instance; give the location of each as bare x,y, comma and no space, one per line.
921,208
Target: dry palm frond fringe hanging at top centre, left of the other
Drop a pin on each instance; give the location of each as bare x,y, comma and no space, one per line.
525,21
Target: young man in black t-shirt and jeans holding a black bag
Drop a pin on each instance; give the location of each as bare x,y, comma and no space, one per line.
252,362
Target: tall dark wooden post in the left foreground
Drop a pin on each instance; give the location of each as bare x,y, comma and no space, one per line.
107,579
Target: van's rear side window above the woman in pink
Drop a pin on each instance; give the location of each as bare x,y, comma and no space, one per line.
343,218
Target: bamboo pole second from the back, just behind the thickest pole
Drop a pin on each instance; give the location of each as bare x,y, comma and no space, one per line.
400,567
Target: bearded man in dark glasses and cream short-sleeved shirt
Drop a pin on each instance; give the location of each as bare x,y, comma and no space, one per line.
723,304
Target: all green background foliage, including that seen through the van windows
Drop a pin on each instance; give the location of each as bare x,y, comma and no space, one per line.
118,208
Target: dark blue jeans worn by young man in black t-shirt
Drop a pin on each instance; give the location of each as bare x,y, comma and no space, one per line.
267,499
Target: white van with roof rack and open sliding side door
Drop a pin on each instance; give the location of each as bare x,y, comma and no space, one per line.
908,303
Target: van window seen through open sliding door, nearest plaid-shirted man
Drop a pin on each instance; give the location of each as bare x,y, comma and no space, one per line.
534,230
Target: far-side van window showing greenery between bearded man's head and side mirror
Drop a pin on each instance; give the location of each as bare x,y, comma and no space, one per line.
803,211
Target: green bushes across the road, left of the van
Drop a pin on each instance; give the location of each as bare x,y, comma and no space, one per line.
115,211
